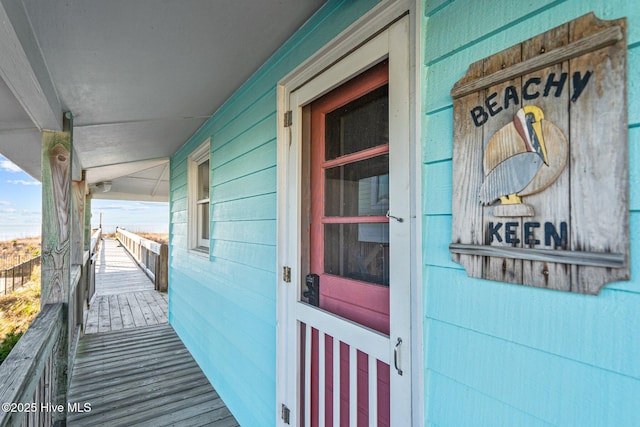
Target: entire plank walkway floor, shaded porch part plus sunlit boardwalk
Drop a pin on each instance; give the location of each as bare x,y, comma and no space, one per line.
132,369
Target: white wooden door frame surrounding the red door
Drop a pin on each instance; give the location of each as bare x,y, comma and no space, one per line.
311,74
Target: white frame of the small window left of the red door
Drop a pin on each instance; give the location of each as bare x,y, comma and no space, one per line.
195,223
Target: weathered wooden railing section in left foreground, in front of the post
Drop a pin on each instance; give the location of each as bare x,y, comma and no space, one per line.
31,377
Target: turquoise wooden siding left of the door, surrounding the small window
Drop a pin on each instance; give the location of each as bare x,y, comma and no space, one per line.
224,306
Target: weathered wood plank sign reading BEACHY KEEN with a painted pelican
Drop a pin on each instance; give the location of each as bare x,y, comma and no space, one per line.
540,172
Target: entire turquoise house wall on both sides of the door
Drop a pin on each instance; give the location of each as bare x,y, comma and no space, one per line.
495,354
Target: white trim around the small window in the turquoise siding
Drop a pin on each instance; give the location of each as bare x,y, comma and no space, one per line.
199,156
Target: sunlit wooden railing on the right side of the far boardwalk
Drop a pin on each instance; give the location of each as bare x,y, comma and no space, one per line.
153,257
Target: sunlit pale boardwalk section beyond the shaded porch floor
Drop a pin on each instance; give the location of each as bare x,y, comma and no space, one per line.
125,297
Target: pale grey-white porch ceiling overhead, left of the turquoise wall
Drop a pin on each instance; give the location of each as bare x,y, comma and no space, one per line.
139,76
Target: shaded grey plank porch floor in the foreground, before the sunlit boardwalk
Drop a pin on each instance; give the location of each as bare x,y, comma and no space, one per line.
142,377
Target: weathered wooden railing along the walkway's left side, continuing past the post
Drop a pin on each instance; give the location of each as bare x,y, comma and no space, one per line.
34,377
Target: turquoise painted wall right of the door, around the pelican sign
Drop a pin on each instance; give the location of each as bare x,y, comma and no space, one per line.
502,354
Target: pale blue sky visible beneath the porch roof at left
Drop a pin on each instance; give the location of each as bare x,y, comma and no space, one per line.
21,208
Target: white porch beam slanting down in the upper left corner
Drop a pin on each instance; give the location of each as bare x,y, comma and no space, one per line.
24,70
